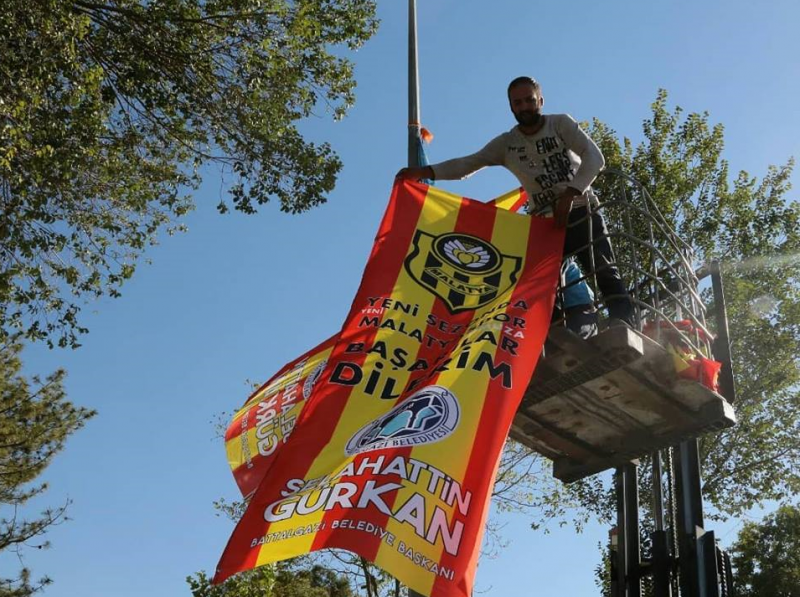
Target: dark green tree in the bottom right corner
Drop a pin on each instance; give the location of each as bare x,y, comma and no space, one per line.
766,555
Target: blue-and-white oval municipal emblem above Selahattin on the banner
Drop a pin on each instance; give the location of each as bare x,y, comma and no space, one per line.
425,417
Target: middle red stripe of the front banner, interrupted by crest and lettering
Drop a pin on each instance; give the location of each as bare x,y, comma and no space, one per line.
473,218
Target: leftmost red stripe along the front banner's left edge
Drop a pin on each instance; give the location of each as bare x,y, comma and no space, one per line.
320,417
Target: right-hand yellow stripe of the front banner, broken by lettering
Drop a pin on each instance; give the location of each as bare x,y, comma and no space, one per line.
510,236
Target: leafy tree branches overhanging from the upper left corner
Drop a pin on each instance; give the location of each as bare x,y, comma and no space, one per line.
110,111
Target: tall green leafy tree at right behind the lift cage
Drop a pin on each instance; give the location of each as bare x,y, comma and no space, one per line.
752,227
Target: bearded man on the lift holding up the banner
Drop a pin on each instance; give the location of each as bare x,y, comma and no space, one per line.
555,162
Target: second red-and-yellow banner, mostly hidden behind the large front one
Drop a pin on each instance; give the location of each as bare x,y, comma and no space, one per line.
268,417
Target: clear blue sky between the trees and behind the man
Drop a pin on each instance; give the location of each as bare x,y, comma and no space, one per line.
238,296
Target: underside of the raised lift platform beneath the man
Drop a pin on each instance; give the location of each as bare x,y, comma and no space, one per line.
593,405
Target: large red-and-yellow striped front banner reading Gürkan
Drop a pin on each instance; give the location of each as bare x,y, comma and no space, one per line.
395,452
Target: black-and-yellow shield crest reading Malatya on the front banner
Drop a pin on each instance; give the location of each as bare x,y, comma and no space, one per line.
466,272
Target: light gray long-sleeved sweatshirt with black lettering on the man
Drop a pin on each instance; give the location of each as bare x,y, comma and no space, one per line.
558,156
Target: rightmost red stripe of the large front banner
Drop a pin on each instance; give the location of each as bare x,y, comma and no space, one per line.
540,276
